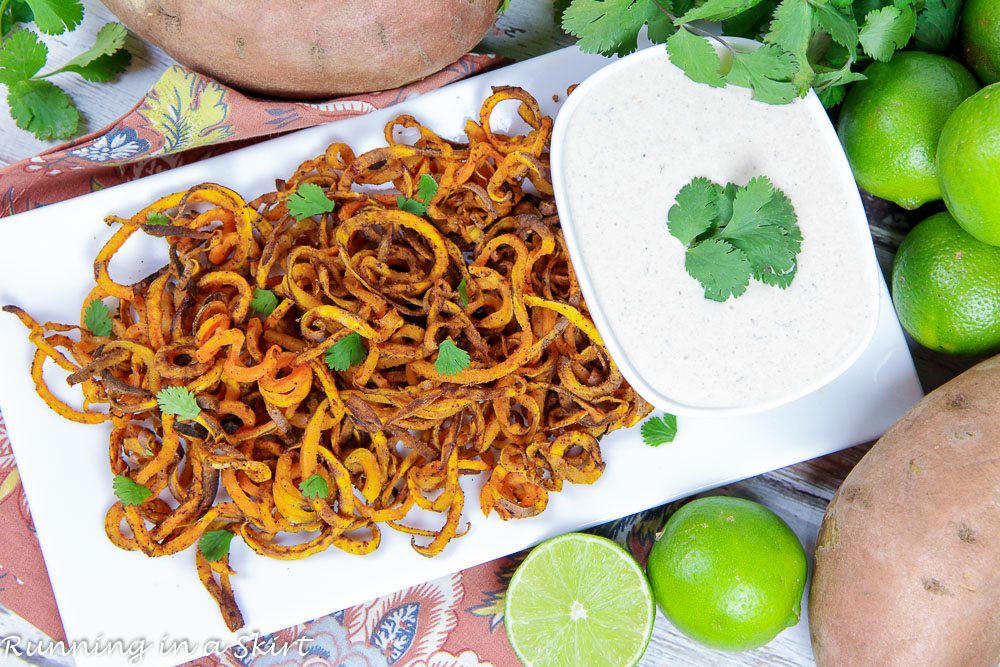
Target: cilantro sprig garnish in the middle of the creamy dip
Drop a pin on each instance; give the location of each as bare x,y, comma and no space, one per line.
733,234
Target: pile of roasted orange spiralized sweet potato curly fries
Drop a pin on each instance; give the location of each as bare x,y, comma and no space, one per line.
388,434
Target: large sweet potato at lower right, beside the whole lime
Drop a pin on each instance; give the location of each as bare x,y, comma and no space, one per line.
908,556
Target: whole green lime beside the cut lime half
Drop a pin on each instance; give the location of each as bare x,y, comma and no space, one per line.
728,573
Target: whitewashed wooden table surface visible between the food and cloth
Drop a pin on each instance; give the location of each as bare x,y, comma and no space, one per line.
799,493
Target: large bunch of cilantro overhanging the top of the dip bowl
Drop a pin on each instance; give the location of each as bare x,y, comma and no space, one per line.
806,43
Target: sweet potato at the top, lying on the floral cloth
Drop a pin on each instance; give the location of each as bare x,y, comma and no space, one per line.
310,48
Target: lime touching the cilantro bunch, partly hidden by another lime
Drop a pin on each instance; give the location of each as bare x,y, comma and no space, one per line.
890,123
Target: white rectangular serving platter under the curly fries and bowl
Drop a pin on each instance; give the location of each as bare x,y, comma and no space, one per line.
46,267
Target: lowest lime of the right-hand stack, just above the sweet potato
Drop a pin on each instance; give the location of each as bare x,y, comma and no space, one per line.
946,288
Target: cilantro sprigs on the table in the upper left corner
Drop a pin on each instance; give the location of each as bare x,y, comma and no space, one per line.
36,104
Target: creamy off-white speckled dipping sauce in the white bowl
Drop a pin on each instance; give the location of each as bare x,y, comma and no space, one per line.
633,140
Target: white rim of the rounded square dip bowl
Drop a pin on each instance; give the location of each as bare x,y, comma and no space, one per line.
811,105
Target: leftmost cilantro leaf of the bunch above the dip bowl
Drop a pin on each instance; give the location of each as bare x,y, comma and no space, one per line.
608,26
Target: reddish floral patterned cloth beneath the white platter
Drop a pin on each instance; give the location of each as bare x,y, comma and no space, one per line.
455,621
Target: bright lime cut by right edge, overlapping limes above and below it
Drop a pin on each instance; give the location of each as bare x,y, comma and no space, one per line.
969,164
